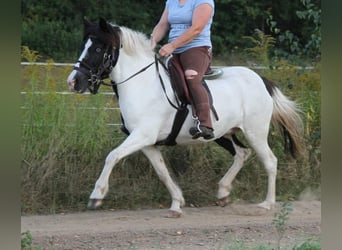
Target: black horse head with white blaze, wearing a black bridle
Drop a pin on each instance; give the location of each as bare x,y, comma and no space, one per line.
101,44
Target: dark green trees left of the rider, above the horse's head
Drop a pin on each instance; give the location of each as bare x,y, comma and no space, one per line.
55,28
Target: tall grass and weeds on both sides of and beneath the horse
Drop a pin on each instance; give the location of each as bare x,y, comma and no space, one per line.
65,139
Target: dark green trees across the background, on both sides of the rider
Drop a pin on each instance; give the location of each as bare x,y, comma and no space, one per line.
54,28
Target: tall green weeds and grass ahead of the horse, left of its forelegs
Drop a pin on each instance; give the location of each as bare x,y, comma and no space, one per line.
57,132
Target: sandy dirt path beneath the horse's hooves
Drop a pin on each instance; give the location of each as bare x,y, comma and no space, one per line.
198,228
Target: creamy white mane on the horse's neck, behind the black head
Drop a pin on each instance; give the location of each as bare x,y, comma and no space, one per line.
134,42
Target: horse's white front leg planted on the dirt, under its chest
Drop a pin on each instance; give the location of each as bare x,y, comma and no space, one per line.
155,157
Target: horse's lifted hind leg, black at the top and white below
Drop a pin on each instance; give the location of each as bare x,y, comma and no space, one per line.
240,154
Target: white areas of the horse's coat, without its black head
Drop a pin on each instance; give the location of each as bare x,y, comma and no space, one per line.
239,97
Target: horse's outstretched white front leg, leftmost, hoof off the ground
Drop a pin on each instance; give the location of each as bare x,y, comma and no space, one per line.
133,143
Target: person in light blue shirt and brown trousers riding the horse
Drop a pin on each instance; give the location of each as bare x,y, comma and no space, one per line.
189,23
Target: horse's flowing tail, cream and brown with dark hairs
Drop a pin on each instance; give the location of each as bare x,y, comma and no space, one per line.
286,116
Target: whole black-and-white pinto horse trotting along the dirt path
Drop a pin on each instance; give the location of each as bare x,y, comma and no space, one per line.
243,101
